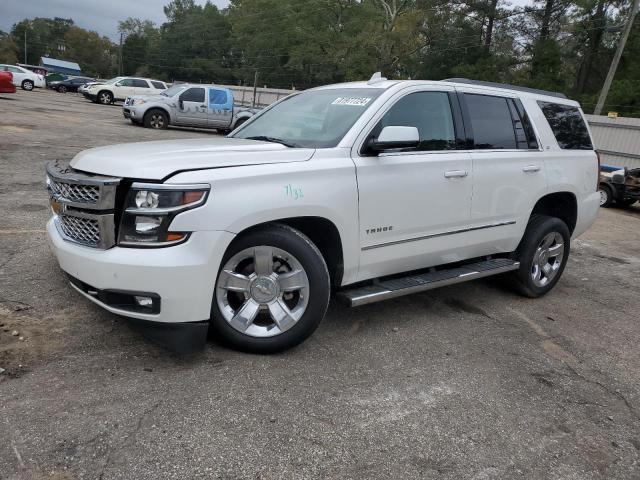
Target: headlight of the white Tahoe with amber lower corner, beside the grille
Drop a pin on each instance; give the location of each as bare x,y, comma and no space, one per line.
150,208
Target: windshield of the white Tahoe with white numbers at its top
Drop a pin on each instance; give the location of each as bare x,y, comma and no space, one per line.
314,119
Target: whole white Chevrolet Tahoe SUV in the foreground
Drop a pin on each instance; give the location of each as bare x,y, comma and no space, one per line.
375,189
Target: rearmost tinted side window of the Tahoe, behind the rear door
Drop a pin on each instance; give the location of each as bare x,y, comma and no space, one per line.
567,125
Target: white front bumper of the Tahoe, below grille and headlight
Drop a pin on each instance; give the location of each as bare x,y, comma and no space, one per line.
182,276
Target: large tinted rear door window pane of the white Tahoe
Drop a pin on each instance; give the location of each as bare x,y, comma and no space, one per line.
491,121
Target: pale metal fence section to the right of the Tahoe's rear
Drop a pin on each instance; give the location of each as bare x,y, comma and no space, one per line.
617,140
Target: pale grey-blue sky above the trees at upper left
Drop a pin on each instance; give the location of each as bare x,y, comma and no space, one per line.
99,15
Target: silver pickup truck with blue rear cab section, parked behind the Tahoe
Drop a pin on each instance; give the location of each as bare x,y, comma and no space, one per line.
187,105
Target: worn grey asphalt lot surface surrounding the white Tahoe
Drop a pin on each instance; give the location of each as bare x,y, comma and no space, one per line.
466,382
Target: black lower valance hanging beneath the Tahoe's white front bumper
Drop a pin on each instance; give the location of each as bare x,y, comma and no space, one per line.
182,338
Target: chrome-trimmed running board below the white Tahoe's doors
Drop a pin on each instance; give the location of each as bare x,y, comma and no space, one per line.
397,287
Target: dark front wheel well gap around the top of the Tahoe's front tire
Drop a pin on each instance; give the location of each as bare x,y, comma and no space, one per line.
322,232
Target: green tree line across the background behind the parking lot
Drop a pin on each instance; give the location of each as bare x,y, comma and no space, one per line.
559,45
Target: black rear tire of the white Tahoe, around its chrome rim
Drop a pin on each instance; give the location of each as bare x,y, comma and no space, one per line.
538,228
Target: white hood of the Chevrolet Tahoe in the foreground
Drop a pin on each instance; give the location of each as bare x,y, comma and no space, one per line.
158,160
